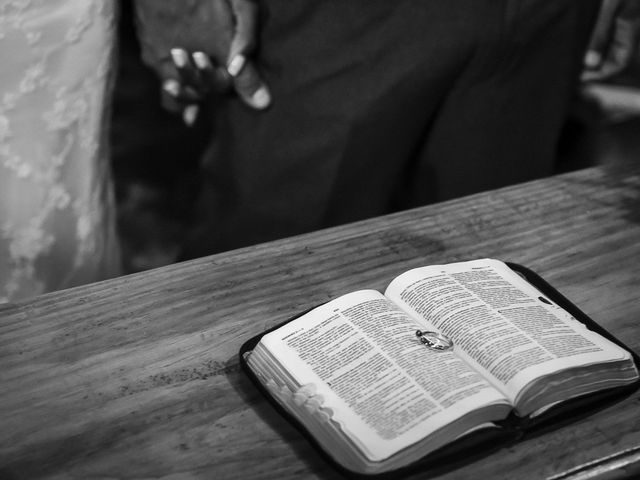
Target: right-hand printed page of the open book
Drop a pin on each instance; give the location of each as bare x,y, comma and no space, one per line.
499,322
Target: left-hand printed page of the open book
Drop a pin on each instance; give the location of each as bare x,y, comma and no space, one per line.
384,387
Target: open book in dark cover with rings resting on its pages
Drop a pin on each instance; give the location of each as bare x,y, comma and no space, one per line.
380,381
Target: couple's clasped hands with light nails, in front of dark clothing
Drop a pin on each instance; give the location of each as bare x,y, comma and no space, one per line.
196,45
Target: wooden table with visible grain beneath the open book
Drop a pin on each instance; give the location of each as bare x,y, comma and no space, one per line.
138,377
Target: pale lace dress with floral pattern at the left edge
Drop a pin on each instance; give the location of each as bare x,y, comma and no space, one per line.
56,205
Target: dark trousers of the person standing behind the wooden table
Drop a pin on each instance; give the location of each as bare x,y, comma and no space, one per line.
383,105
